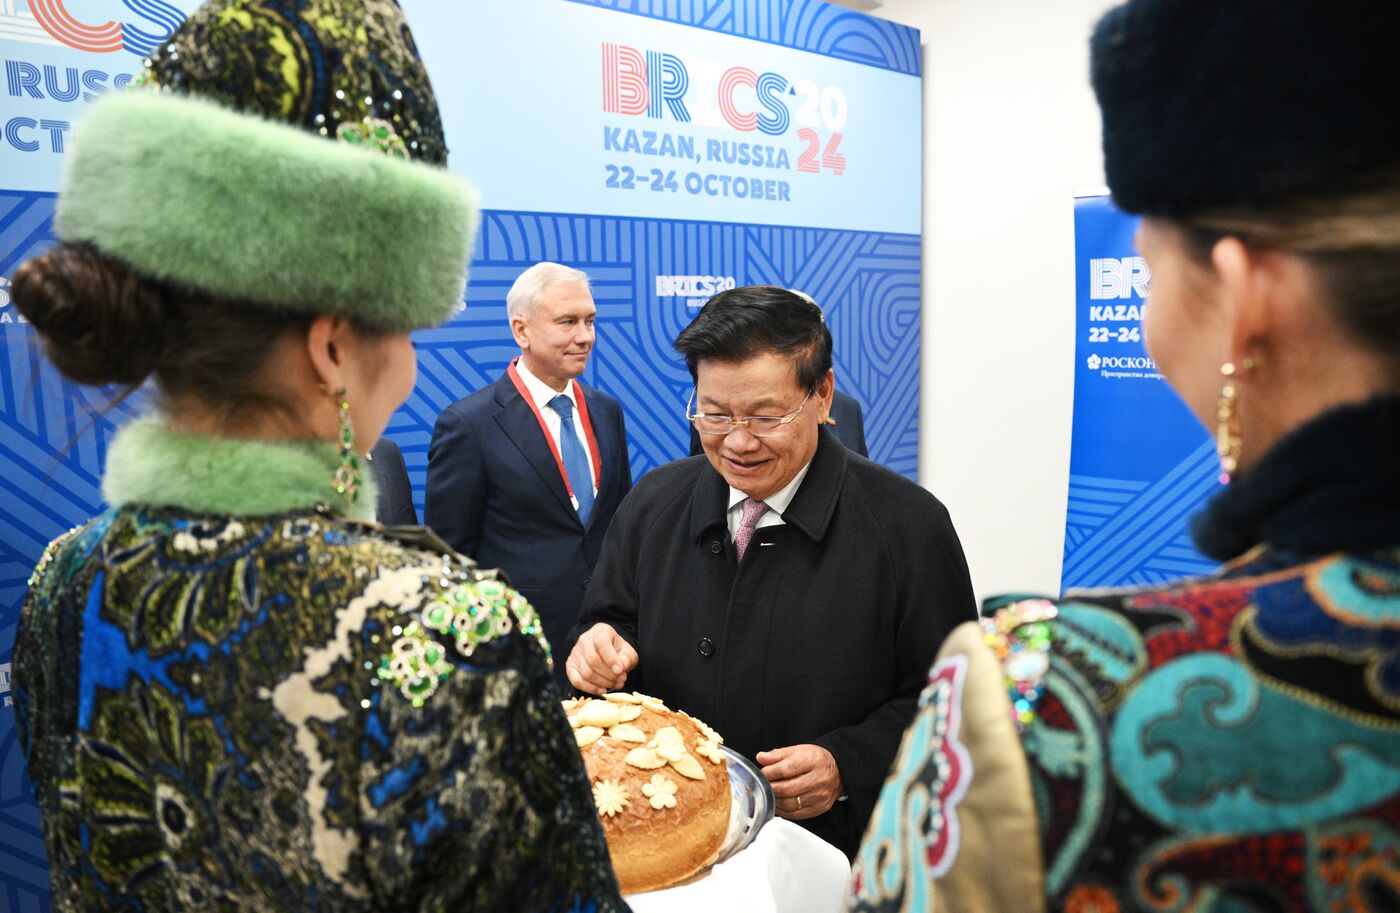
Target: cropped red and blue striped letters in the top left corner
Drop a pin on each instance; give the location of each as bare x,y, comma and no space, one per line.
156,22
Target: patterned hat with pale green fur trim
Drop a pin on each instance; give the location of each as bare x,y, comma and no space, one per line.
285,153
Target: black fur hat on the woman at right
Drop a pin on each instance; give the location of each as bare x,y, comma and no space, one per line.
1240,103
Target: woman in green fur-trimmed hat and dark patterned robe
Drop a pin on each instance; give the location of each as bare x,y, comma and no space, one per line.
234,694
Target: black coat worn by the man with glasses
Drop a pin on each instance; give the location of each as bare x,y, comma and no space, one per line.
825,632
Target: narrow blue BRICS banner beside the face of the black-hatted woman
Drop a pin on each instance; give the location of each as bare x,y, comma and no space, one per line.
1140,463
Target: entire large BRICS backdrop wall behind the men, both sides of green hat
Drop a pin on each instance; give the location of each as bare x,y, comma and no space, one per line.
671,149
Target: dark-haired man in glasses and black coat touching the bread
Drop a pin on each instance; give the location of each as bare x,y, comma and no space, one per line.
786,592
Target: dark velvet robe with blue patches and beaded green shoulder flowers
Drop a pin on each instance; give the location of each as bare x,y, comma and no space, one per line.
295,713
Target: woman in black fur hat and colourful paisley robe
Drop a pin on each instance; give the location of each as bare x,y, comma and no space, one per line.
1228,743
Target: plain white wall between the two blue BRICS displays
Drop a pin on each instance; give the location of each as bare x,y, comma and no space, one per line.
1011,132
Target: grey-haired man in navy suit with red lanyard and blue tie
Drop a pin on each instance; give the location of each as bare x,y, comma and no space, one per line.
526,475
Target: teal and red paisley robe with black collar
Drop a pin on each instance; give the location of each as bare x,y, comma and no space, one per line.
1219,746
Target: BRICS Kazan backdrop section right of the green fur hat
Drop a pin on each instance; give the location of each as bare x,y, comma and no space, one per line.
673,151
